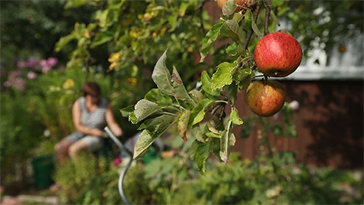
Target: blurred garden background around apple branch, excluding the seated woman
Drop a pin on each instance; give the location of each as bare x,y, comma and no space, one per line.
50,48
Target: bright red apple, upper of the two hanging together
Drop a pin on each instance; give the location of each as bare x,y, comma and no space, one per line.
277,54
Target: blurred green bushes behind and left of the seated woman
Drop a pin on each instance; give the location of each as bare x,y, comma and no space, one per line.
33,121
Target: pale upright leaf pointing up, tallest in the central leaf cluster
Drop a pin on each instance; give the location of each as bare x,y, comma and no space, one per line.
162,77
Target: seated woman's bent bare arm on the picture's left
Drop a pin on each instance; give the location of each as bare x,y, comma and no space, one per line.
76,116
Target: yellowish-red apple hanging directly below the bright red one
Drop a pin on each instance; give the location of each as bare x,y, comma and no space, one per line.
265,98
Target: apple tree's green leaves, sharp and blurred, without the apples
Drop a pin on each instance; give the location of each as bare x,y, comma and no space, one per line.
132,32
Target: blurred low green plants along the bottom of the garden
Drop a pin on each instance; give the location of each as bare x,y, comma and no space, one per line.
175,179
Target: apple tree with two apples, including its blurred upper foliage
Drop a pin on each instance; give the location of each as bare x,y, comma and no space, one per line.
132,35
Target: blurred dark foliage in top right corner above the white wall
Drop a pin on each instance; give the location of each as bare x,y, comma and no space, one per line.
328,23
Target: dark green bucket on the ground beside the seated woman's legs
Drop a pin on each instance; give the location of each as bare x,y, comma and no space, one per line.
43,167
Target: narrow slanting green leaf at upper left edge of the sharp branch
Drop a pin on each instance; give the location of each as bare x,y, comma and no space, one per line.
210,39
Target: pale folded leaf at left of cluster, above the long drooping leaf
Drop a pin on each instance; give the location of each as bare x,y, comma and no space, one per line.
143,109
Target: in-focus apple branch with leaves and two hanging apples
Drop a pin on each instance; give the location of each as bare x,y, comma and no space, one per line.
201,114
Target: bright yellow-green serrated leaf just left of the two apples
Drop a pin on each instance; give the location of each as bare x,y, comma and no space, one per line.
224,75
